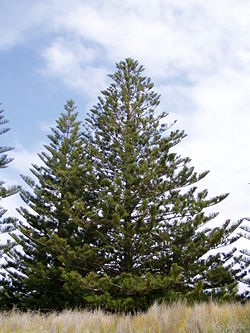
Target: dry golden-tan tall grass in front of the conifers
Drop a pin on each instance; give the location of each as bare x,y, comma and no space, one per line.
207,318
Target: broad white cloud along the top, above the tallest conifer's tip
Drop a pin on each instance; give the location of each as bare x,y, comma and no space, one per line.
167,36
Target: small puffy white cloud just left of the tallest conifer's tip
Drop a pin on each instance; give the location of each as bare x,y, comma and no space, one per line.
73,64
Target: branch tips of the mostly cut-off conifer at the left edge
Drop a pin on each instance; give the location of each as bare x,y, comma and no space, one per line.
5,223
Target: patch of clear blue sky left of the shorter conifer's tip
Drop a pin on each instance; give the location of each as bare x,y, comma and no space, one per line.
30,100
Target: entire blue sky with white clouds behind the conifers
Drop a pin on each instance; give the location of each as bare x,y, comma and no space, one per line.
197,53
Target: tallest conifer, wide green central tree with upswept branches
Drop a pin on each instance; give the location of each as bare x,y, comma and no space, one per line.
154,231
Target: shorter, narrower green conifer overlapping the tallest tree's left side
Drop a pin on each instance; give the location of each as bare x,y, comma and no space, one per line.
54,232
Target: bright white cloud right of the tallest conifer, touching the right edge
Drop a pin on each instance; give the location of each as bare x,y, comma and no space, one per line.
219,135
